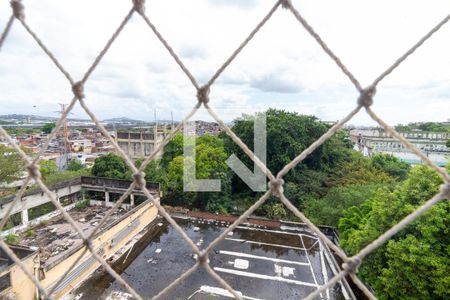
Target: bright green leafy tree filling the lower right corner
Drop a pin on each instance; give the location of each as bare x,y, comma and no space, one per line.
415,263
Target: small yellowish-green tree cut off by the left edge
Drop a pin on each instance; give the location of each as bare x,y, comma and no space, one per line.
11,164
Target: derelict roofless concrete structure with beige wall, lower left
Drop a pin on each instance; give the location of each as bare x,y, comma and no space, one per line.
53,246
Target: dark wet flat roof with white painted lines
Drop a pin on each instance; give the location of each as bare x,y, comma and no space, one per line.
258,262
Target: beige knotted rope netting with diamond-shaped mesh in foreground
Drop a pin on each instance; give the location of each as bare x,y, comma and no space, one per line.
366,97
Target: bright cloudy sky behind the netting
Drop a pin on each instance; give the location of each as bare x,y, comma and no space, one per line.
282,67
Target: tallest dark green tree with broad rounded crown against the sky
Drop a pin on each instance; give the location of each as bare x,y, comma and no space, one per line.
288,134
